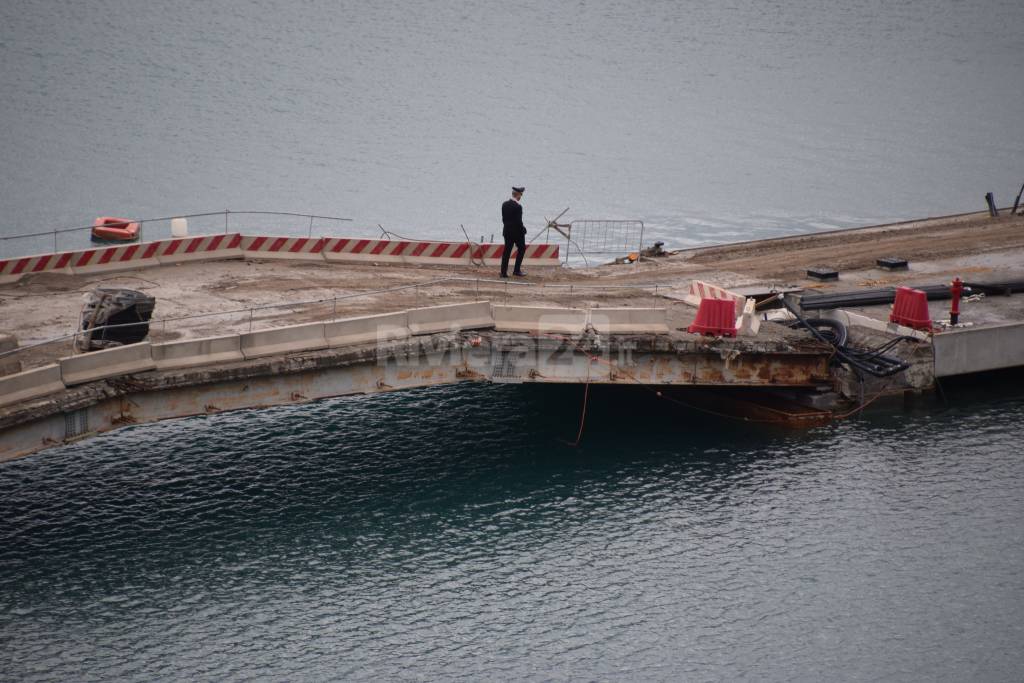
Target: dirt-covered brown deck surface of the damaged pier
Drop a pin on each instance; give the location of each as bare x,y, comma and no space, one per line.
221,294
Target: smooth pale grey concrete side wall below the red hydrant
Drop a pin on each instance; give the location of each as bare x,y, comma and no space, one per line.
978,350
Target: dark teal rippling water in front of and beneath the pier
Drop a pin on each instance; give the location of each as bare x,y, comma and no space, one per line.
452,534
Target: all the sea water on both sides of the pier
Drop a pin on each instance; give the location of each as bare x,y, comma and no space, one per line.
452,533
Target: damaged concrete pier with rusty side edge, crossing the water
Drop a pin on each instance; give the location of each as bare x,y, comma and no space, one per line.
253,333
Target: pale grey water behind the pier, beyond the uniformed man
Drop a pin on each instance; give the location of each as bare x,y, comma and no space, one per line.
712,122
